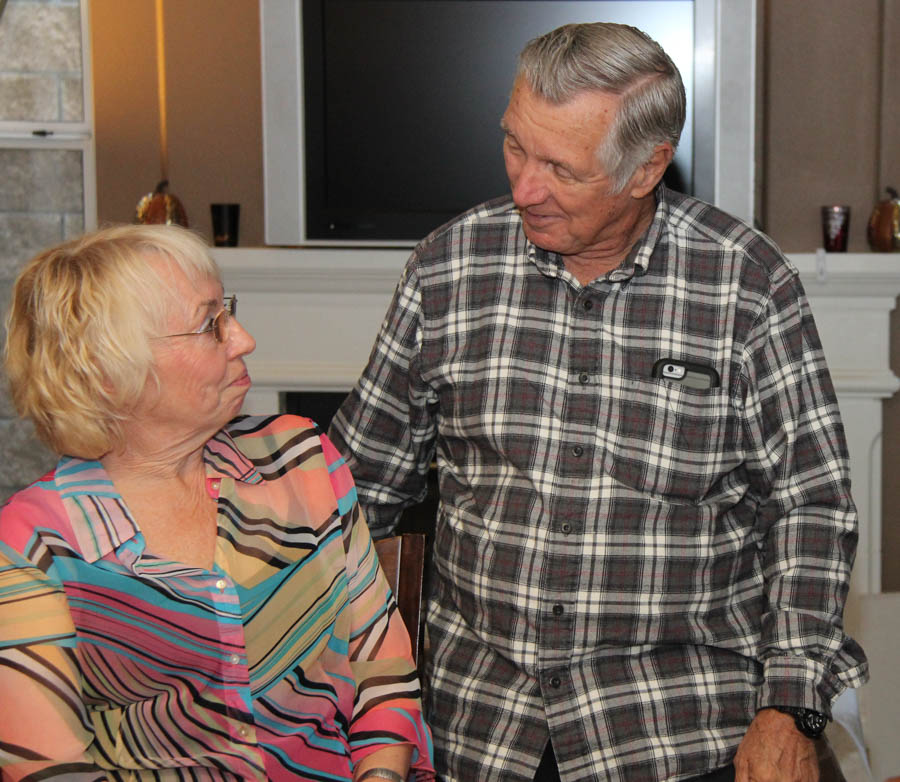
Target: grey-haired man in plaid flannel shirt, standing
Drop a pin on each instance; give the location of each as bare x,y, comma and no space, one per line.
645,531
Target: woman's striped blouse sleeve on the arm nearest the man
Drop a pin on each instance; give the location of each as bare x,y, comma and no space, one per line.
388,707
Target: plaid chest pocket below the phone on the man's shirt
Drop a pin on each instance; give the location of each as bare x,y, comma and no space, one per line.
669,440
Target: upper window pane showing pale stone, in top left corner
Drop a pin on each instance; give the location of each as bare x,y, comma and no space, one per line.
40,62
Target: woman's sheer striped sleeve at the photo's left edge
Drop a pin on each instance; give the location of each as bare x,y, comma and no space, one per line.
43,723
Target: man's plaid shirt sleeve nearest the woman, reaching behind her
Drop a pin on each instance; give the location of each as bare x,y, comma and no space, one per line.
386,427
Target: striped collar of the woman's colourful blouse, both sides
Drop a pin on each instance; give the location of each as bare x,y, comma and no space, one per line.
101,522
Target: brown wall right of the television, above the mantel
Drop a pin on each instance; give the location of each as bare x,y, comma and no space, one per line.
821,114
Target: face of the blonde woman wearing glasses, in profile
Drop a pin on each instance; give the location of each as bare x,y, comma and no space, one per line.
202,382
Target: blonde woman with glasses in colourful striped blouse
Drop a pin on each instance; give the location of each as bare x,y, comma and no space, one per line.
189,594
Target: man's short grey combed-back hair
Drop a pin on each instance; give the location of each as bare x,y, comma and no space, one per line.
620,60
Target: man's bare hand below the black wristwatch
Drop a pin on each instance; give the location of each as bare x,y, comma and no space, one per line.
773,750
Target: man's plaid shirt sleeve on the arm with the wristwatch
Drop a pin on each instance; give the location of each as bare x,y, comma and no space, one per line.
806,518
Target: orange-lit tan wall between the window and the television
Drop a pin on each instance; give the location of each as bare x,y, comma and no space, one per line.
213,103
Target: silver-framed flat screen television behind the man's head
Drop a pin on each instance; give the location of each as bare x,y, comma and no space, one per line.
381,117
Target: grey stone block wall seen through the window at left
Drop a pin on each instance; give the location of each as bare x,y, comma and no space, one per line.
41,189
